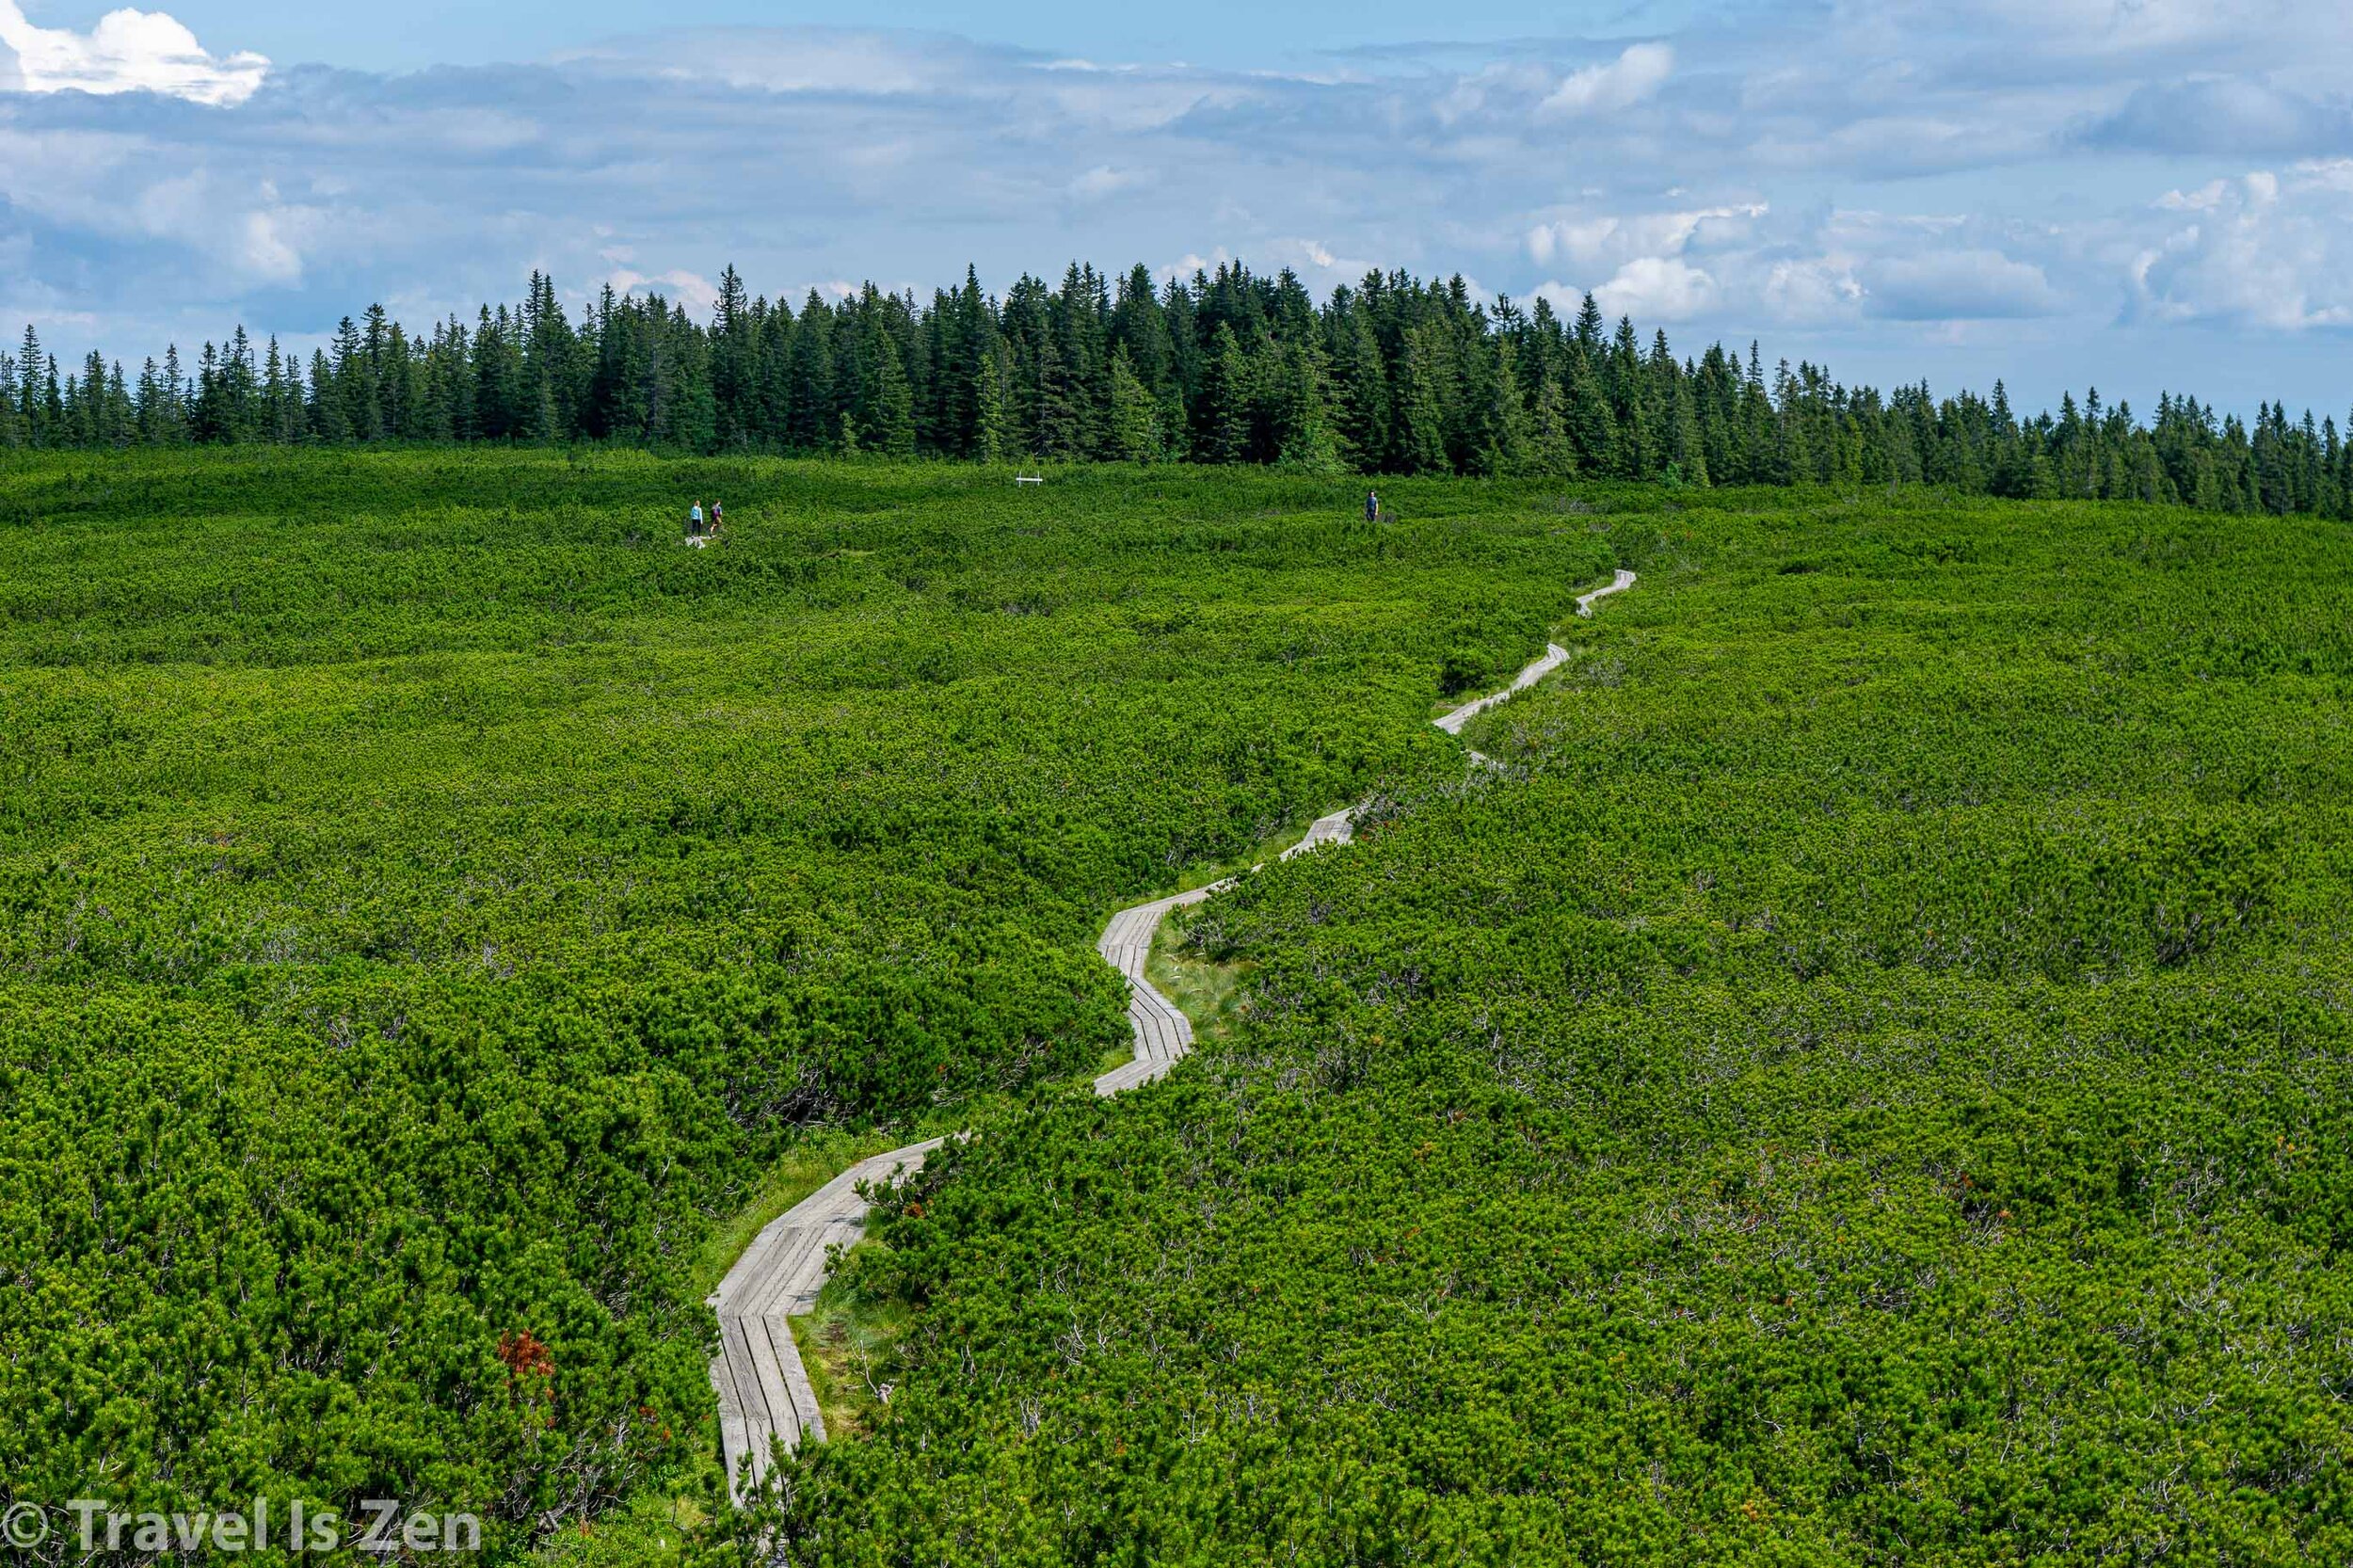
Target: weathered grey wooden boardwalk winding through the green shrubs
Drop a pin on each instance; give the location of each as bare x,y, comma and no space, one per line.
759,1378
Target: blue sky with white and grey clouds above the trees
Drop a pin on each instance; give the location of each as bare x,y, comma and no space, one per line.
2135,194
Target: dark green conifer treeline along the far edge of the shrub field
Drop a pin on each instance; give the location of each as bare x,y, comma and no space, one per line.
1234,368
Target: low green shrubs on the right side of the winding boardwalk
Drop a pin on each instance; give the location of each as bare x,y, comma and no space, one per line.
1867,1079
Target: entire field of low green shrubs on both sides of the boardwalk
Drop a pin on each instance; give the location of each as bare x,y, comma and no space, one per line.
1862,1079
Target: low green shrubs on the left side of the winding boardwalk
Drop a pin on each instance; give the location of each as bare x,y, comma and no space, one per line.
441,915
